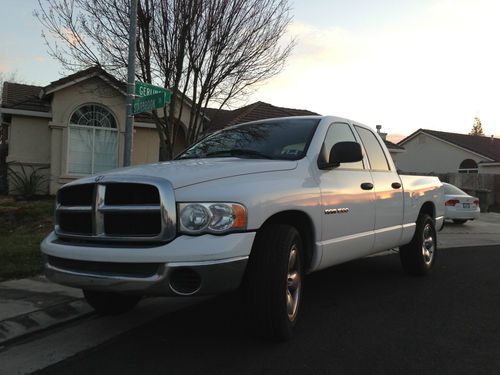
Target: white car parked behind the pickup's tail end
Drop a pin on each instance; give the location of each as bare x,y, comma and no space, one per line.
459,206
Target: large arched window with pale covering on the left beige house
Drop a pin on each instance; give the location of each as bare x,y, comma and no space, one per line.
93,140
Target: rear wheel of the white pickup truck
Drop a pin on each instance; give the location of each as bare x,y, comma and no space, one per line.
418,257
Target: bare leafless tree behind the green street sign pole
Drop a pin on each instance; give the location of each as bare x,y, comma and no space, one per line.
205,51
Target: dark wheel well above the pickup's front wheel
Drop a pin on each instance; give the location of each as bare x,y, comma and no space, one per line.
303,223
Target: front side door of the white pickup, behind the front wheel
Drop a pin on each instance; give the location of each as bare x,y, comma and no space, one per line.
347,204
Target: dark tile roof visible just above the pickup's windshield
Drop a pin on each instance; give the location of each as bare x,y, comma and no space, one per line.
220,118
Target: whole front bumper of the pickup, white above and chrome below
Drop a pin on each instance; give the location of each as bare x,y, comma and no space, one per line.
202,265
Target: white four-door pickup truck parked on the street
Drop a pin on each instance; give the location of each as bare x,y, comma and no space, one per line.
255,206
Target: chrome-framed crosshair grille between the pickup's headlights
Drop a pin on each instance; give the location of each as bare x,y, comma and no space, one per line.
116,208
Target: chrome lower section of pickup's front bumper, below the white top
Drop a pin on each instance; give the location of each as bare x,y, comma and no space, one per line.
207,277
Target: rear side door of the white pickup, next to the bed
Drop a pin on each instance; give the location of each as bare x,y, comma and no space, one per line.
388,191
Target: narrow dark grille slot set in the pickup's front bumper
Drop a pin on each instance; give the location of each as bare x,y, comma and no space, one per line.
105,268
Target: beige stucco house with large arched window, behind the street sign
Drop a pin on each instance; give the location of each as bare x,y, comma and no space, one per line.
75,127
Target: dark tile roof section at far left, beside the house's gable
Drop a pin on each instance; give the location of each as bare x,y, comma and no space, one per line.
24,97
